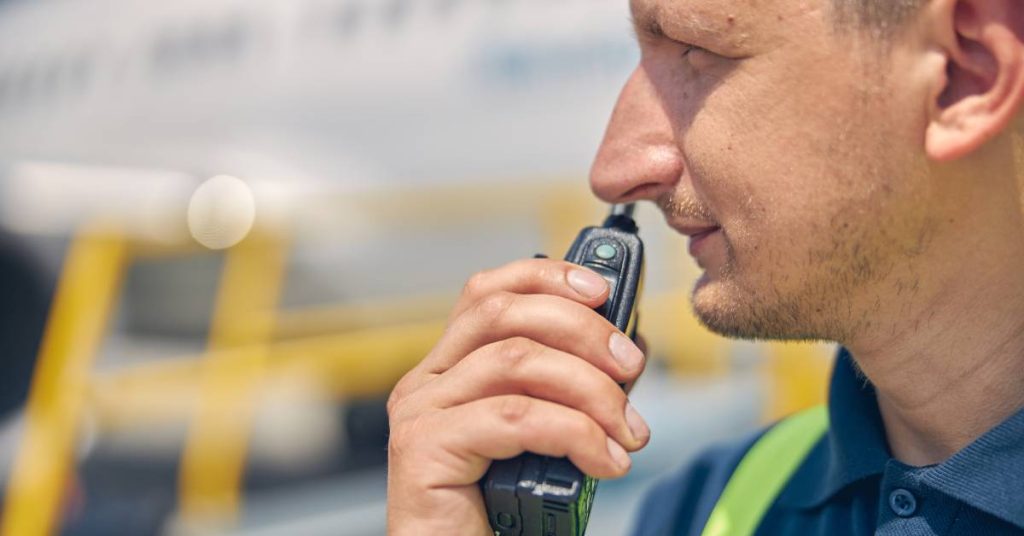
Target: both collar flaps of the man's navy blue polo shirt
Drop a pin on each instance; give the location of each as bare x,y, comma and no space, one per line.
986,475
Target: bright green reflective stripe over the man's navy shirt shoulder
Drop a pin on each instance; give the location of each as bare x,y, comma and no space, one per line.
763,472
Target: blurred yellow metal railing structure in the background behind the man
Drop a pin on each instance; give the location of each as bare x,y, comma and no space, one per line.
372,346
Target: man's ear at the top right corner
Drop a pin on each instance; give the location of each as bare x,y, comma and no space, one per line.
982,94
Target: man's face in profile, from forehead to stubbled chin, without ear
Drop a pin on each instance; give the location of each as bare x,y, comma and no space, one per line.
791,149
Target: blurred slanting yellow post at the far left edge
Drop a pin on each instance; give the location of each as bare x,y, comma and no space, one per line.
87,293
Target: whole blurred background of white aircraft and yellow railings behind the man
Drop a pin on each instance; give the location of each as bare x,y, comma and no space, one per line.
229,227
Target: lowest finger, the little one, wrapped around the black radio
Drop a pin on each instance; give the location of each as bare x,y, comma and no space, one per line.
501,428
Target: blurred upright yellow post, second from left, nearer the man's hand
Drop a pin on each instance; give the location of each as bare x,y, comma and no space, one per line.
214,462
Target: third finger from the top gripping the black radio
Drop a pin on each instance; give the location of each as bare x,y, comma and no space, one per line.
521,366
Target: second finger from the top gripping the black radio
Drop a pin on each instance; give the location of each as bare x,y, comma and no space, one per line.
552,321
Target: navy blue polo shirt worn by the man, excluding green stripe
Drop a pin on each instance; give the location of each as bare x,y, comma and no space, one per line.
850,485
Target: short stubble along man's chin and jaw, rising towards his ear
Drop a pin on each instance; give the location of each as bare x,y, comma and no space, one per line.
866,255
